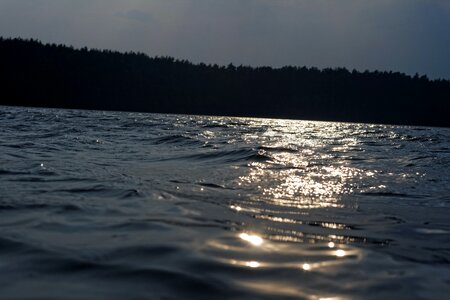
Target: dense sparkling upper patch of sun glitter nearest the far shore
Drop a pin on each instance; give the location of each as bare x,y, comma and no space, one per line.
302,170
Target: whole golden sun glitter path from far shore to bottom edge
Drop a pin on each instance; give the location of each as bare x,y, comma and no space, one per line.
293,214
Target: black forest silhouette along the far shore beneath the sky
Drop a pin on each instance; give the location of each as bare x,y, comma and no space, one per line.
48,75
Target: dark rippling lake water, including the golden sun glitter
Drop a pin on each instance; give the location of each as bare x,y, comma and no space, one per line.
110,205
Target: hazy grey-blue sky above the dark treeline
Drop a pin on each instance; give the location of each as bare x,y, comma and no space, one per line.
400,35
